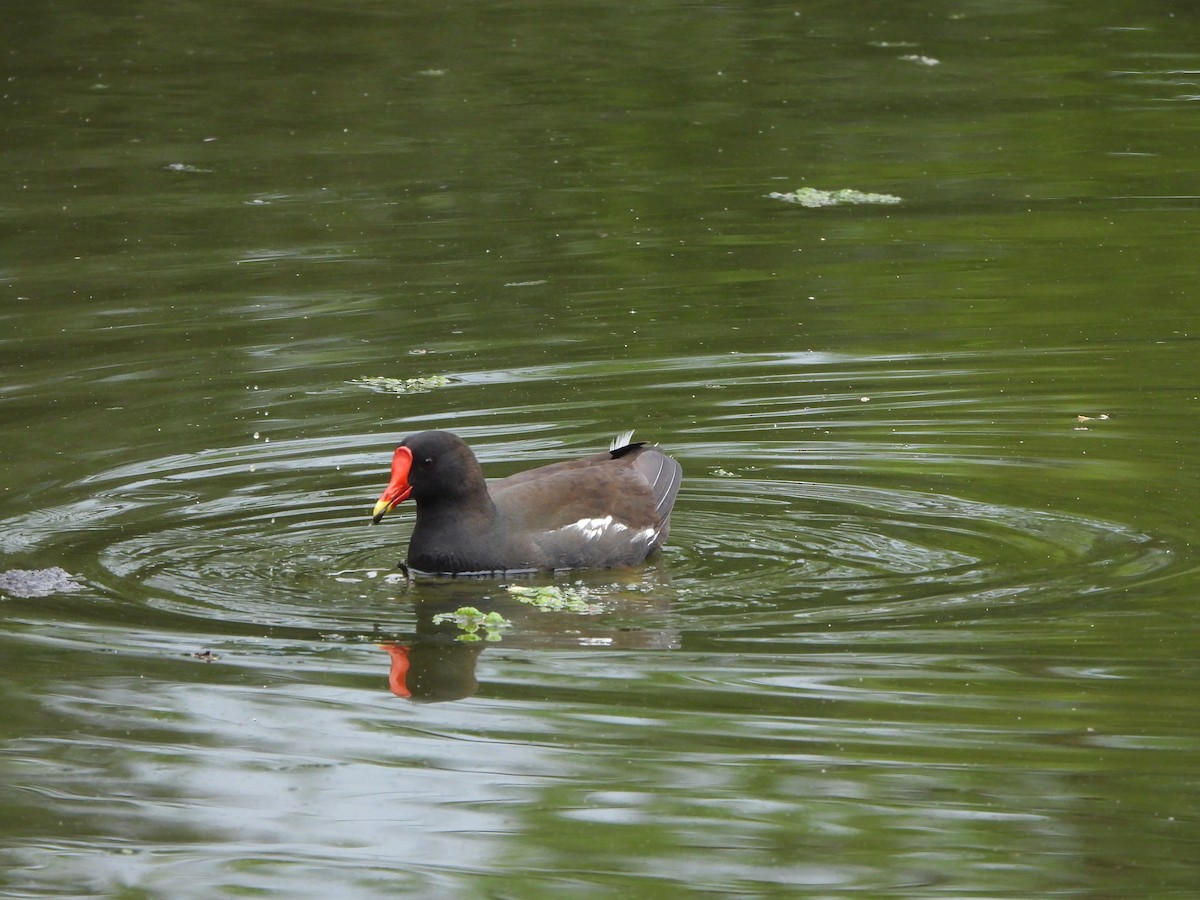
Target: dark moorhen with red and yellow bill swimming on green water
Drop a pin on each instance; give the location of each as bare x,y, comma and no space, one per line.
611,509
